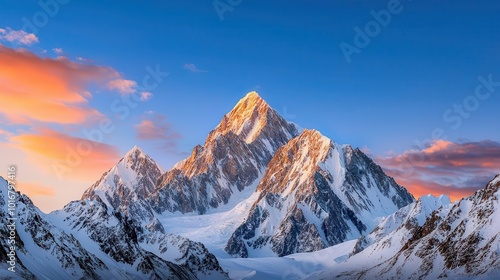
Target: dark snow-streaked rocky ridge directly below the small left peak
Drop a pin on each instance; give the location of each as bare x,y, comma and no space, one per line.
124,240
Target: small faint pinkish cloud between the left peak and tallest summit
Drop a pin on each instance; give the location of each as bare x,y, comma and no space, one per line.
155,127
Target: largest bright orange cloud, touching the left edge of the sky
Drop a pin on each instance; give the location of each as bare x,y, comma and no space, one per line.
47,90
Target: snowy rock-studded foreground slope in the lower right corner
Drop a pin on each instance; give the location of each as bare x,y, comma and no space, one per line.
459,240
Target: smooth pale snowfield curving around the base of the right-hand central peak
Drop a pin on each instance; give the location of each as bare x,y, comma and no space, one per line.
214,229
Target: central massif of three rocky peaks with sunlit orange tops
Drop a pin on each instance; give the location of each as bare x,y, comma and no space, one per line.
313,193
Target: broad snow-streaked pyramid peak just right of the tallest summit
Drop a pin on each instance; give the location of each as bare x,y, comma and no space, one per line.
314,194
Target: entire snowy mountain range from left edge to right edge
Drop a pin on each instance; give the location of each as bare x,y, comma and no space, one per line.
259,190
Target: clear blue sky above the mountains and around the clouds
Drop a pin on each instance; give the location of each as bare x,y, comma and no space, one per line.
395,91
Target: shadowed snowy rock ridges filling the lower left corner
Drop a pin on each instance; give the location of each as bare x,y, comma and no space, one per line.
88,241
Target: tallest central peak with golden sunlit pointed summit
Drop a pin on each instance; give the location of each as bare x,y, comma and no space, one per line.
233,158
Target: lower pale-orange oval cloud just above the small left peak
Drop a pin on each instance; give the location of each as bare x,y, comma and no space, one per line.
67,156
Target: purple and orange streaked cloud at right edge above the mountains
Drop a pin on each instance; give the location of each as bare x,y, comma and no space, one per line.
456,169
